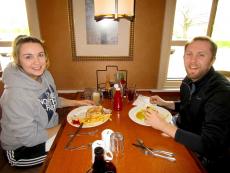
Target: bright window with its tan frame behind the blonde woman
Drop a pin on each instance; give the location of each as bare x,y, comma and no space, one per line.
19,18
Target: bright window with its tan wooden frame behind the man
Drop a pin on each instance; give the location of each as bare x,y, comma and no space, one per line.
185,20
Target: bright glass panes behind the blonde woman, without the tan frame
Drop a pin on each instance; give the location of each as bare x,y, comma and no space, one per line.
13,22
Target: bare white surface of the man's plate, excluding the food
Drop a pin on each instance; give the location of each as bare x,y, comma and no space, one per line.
134,110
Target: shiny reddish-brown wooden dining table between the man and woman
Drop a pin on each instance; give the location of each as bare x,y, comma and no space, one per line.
134,159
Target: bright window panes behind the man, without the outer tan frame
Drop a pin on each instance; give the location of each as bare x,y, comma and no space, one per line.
196,18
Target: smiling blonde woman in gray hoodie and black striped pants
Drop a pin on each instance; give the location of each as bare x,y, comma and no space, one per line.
29,102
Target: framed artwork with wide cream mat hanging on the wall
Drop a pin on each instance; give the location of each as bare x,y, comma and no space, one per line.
102,40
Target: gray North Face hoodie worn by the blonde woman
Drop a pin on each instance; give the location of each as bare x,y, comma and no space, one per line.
28,108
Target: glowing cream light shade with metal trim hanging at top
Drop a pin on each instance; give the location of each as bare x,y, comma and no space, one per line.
114,9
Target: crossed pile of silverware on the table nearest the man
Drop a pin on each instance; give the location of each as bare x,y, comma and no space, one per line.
156,153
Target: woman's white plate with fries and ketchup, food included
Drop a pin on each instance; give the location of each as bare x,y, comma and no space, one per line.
90,116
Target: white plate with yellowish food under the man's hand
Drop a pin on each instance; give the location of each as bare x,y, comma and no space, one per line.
137,114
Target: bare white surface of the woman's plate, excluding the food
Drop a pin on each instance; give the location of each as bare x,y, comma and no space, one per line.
80,113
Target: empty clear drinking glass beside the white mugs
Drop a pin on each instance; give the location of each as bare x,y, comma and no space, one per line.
117,145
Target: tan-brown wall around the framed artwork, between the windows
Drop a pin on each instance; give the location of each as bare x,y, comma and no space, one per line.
71,75
